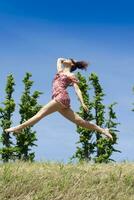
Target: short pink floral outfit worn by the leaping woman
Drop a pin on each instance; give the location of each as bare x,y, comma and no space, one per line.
59,84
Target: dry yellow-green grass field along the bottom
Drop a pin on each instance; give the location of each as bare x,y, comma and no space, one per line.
58,181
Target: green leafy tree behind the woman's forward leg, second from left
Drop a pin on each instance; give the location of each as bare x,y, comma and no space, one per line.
28,108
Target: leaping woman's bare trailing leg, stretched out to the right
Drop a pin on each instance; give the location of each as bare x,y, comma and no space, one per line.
75,118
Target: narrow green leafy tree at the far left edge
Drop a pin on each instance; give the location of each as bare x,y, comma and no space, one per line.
7,151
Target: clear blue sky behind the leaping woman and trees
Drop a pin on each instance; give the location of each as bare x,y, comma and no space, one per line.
33,34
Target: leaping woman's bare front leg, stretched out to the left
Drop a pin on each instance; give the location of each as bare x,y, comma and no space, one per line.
49,108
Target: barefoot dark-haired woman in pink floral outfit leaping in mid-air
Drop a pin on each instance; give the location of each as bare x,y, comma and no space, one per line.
60,99
